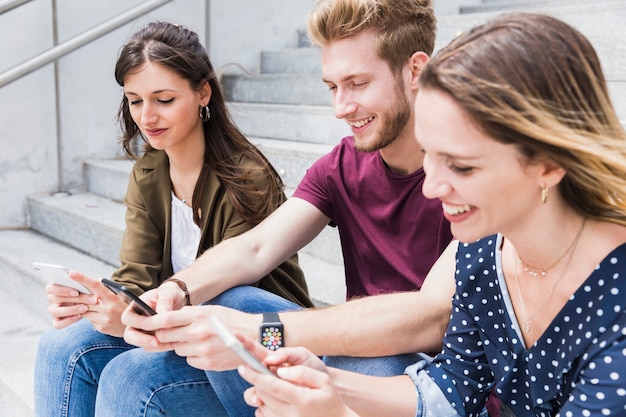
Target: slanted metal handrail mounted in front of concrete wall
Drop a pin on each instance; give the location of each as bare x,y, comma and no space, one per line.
76,42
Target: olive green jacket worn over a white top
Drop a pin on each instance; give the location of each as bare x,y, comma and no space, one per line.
145,254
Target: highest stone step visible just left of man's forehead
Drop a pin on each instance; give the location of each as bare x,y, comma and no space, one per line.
292,61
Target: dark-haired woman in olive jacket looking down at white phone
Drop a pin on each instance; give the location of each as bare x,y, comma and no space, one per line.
198,182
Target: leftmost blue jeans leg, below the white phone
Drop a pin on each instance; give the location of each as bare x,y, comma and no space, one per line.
68,366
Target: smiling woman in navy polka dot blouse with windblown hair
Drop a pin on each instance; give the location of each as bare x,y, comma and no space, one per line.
528,157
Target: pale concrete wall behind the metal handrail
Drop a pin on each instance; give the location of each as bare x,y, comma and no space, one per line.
88,94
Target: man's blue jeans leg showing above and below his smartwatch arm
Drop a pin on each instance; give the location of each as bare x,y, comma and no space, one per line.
228,385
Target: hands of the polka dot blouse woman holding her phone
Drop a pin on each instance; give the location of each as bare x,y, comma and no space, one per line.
303,387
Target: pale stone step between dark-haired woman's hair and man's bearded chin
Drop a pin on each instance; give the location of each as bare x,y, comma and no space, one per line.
303,123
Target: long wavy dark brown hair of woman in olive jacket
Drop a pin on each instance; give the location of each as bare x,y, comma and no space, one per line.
179,49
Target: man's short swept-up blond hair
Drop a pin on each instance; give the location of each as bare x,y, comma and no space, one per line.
403,26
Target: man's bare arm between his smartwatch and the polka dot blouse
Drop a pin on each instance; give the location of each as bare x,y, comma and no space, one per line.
380,325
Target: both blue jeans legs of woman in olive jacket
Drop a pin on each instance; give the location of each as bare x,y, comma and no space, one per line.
81,372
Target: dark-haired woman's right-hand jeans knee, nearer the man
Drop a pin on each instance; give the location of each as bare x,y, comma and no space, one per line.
139,383
